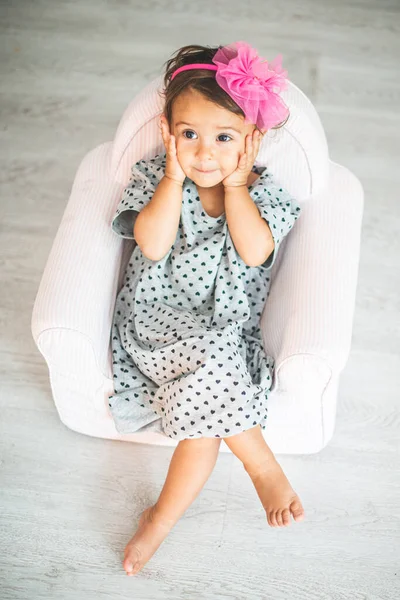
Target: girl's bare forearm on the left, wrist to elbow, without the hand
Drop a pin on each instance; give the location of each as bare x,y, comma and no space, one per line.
157,223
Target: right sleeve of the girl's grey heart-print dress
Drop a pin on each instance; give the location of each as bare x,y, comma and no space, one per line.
279,209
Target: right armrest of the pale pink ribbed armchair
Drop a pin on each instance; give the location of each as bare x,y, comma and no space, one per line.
310,308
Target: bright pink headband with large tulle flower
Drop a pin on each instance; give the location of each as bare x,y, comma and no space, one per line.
250,82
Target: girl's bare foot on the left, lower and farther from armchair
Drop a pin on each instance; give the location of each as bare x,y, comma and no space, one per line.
151,532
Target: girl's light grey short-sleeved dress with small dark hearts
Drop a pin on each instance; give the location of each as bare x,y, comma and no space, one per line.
188,357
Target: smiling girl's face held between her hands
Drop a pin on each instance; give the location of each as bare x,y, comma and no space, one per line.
208,138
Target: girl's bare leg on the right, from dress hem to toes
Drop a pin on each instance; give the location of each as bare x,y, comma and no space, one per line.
274,490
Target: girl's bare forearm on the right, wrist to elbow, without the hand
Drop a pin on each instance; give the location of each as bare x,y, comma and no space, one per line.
249,231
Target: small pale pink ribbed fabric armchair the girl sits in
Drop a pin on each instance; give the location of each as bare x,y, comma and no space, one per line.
308,316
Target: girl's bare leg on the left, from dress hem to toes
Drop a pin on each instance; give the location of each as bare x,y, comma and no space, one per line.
191,465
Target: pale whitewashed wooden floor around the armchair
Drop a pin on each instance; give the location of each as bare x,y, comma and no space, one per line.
69,503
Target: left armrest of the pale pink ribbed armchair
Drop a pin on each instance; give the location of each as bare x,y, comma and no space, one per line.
78,288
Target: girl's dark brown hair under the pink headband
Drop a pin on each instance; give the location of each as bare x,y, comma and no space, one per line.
201,80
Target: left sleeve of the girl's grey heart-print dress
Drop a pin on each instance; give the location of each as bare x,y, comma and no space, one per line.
145,177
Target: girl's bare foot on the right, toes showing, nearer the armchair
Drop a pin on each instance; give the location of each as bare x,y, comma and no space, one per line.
276,495
